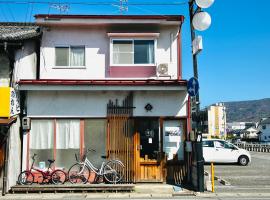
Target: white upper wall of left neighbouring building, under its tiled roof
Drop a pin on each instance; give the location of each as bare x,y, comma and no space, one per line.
25,62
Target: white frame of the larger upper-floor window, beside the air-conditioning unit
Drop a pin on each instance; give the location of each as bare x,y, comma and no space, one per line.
132,39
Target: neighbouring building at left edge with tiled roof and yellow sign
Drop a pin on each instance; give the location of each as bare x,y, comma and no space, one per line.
17,56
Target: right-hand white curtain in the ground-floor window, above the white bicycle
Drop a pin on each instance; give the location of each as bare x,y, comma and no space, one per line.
67,134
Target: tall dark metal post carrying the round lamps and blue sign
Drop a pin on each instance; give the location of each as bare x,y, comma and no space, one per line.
198,150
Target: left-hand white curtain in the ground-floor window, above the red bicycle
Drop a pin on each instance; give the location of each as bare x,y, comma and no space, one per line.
41,134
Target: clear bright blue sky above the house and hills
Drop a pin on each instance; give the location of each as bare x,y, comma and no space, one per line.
235,62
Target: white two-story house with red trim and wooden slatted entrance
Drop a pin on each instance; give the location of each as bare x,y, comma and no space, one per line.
113,84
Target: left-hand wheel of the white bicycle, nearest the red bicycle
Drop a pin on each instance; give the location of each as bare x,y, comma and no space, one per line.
78,173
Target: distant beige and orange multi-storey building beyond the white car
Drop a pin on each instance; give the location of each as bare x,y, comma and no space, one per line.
215,121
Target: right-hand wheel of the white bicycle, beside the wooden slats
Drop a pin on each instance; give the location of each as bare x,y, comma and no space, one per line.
113,171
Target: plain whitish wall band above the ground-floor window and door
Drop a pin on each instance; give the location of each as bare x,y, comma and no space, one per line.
75,104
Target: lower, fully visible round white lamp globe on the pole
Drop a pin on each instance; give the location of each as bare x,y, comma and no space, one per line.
201,21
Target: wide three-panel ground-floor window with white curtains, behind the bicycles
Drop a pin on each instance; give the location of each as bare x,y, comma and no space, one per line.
61,139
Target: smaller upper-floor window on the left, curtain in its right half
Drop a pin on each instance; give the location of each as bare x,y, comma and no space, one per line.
70,56
